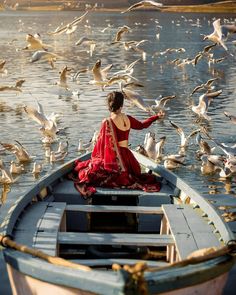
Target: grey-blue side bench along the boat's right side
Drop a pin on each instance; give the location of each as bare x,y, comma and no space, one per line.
189,230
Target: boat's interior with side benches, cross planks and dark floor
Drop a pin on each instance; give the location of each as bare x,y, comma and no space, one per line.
113,226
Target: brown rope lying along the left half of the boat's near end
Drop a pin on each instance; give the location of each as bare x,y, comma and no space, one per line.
7,242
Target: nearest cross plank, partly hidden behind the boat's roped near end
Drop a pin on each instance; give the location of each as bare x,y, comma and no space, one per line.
120,261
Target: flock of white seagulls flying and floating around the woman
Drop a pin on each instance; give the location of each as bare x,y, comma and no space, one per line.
123,79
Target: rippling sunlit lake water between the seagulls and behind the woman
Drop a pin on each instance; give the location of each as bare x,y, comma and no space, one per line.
82,107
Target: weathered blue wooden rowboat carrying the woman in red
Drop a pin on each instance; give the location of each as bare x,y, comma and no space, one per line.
118,241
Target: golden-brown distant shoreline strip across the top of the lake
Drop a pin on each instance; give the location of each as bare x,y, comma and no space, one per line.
218,7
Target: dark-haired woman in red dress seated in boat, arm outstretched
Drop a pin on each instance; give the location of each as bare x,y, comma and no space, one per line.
112,164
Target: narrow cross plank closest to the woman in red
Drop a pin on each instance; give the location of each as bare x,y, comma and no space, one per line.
118,209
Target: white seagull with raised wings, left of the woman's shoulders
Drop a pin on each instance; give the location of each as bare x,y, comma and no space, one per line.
47,123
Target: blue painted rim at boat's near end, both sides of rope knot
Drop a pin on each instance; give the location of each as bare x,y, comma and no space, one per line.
161,281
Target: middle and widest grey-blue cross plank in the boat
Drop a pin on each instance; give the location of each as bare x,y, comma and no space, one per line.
76,238
